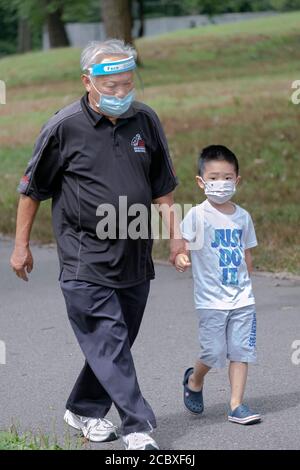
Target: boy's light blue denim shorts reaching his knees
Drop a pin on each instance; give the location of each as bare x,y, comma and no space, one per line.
227,334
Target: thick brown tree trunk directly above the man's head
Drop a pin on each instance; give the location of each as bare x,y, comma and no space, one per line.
117,19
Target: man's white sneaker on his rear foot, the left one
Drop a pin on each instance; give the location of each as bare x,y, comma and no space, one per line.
94,429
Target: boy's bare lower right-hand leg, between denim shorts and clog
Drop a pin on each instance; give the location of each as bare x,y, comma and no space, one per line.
237,376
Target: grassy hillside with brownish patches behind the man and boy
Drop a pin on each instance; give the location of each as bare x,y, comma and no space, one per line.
227,84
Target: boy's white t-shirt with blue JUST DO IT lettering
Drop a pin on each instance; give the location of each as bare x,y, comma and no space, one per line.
221,279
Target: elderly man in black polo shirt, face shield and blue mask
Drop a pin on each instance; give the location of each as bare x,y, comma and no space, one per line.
91,153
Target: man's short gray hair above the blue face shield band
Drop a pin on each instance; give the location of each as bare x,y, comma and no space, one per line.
95,51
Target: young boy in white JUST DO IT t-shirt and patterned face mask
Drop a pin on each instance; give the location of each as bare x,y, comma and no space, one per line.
220,235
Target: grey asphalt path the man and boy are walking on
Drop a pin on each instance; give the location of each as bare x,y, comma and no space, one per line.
43,360
